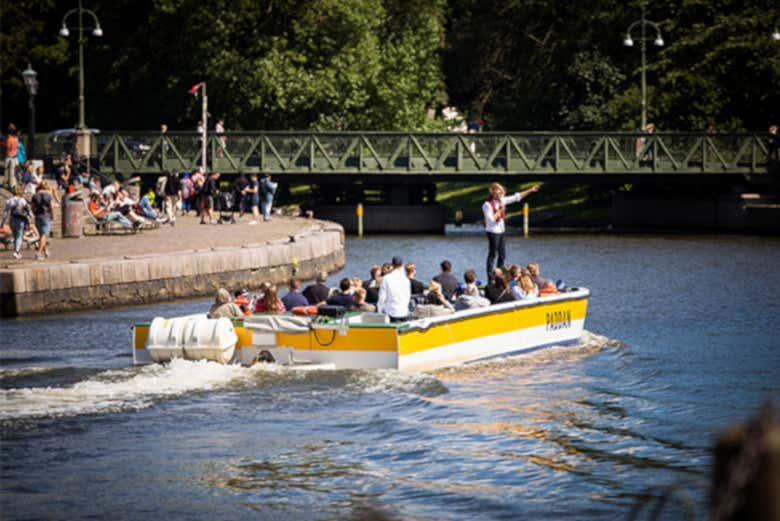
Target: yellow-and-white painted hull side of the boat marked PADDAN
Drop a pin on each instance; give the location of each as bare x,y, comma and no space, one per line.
418,345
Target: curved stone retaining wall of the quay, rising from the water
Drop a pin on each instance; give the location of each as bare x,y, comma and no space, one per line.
140,279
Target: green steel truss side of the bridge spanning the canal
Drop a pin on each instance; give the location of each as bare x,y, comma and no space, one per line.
364,155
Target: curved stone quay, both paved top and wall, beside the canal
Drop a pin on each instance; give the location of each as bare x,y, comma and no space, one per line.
170,262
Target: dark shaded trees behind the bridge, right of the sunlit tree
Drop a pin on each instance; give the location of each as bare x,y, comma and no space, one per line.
539,64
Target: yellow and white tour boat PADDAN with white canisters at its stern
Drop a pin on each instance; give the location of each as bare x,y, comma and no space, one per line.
368,340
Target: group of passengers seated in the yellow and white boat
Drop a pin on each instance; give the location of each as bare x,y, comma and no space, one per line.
392,289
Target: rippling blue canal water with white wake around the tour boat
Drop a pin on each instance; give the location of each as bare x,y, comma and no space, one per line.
683,339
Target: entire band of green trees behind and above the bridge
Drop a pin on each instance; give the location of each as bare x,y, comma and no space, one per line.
389,64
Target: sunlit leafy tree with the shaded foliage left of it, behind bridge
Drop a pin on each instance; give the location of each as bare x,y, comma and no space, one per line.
274,64
